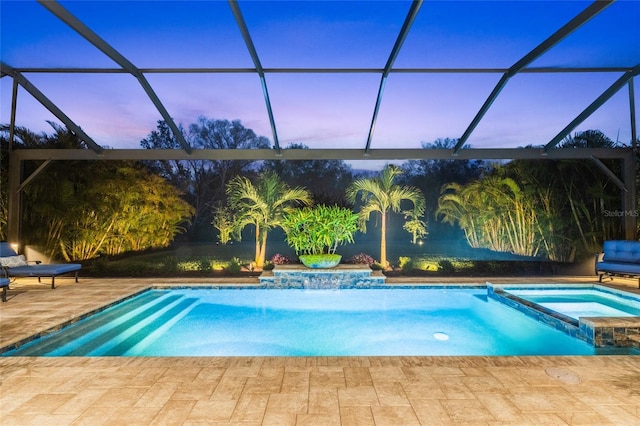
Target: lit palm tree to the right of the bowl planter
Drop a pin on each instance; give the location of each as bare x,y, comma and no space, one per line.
380,195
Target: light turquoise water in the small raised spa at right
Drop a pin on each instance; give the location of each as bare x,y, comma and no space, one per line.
587,302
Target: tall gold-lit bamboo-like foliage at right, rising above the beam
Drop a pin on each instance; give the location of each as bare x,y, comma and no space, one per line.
558,209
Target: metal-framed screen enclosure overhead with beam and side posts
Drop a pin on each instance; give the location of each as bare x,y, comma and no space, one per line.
353,80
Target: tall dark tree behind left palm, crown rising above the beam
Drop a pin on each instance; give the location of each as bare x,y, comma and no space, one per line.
203,182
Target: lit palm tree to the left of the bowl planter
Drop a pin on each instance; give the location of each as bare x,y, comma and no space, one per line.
263,205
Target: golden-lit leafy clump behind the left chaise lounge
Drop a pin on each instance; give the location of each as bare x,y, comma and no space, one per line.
126,209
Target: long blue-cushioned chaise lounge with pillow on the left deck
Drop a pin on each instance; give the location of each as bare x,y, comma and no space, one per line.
17,266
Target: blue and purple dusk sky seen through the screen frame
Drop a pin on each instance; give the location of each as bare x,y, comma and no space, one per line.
325,110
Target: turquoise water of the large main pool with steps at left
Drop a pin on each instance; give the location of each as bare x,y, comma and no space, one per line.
233,322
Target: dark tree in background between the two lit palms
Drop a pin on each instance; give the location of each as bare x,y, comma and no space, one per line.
327,180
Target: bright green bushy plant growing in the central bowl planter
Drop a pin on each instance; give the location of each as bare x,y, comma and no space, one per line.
320,229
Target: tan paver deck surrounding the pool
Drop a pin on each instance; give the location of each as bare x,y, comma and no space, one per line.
574,390
